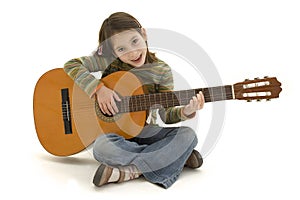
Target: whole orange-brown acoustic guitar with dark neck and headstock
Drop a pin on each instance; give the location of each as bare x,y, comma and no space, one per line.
67,120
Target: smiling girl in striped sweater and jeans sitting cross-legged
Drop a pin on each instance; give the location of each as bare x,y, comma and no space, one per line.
157,153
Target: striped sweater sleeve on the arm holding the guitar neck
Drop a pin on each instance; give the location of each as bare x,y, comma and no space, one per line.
173,114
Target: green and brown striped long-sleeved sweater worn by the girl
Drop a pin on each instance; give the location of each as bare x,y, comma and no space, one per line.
156,77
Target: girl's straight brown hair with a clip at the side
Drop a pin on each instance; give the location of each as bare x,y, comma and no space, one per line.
116,23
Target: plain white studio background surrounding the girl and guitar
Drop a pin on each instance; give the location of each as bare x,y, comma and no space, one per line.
255,158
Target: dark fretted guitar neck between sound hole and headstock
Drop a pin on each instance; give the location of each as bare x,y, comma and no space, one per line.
171,99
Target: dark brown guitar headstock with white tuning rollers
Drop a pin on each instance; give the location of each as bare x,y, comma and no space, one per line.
257,89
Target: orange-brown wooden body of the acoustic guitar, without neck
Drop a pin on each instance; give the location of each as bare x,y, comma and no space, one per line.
67,120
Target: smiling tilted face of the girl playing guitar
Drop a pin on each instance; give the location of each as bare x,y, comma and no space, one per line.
130,47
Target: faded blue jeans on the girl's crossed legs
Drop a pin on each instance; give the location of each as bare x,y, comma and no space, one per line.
159,153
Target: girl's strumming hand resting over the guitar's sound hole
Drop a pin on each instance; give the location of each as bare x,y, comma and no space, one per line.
106,100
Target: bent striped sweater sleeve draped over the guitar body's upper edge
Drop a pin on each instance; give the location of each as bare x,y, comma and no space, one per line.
79,69
